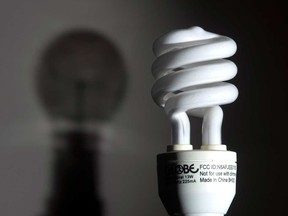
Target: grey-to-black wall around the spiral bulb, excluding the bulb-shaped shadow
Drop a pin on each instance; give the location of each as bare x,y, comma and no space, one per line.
254,125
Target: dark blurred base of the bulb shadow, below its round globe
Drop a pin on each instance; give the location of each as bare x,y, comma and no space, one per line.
75,186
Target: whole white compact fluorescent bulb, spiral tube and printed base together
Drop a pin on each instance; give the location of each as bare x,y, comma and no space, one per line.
189,70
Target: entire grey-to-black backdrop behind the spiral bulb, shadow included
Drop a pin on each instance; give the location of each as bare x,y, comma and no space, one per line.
103,102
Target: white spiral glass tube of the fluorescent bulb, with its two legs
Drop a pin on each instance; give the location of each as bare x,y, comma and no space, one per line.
189,72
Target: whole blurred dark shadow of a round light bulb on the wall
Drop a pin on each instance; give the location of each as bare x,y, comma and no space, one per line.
81,80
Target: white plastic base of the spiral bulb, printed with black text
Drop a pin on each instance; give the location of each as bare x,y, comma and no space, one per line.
197,182
